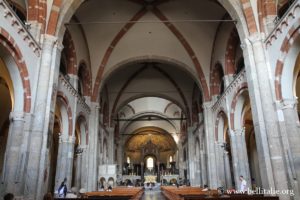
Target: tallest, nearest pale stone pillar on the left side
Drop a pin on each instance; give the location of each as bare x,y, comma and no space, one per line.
36,184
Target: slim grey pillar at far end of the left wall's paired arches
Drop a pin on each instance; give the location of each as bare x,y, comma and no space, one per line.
93,145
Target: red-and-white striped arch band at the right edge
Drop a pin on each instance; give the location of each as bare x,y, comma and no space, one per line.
287,43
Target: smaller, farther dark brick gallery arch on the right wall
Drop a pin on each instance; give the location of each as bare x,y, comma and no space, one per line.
216,79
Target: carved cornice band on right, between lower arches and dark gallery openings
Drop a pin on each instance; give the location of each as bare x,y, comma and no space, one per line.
239,79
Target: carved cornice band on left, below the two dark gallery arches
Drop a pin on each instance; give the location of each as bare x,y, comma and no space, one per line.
74,92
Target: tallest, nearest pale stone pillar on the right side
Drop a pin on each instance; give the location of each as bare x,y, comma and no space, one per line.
272,159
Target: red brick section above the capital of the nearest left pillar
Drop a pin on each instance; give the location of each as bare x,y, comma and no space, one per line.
37,11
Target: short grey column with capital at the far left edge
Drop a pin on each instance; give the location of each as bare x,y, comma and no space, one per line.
13,166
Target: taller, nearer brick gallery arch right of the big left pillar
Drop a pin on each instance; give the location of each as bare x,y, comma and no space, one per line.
70,52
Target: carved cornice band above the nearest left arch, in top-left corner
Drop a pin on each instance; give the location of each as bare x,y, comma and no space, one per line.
21,29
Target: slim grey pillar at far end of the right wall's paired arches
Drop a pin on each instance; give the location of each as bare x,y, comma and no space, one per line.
210,149
